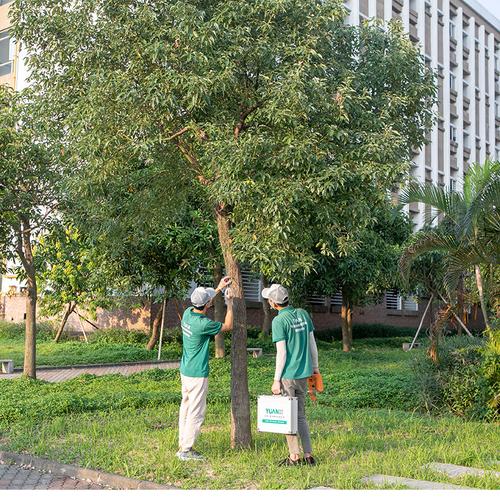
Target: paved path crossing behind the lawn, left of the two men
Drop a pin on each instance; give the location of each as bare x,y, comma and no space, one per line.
60,374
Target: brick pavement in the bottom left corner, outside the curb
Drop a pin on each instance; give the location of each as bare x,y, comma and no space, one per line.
22,477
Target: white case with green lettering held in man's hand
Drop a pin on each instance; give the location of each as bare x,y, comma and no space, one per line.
277,414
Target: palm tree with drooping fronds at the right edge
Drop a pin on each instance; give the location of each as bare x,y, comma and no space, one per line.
468,233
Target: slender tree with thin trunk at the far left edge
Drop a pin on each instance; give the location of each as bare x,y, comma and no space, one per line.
28,199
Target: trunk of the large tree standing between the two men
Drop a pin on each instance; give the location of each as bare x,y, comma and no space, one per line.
241,436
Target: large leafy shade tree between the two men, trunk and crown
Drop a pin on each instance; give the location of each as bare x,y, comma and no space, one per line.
277,113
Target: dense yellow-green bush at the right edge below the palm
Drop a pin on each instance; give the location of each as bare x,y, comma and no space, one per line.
466,379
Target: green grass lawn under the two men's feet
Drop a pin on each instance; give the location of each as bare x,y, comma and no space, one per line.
366,422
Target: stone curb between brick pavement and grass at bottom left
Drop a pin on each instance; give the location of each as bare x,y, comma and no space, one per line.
96,476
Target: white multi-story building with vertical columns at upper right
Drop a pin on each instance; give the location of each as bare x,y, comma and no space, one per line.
460,41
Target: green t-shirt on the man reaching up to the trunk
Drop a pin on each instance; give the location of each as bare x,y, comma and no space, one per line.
197,330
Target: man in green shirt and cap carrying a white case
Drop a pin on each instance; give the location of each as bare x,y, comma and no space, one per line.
296,360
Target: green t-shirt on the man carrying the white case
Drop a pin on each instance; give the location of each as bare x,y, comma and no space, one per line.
293,326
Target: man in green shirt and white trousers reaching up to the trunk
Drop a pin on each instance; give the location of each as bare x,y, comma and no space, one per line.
197,330
